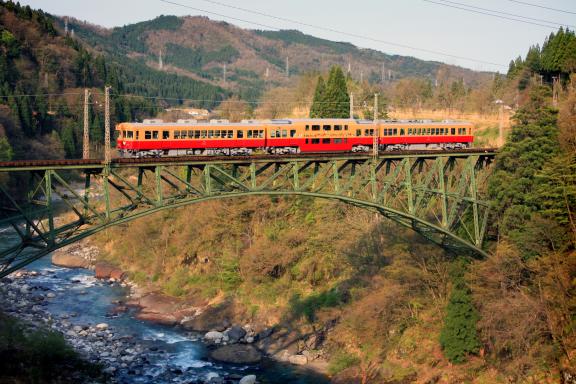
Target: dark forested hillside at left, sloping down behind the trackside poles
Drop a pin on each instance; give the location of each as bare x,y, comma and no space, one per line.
42,76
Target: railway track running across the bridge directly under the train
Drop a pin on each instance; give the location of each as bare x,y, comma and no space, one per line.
185,159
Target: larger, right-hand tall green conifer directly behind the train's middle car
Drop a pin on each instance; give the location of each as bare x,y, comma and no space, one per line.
336,98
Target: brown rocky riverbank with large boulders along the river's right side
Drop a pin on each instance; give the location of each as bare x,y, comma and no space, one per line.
227,334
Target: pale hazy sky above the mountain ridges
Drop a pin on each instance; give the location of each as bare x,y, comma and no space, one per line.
419,28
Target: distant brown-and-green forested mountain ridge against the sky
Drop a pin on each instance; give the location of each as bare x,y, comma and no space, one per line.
198,47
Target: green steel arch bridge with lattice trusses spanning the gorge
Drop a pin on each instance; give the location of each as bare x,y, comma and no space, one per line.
58,202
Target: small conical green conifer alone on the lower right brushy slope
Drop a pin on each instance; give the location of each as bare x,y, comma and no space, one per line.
459,337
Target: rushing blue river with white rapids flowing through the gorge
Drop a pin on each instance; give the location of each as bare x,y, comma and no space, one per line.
73,299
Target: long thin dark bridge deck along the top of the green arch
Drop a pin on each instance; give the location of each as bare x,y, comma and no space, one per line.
29,165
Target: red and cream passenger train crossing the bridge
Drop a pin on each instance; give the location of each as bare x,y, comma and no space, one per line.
156,138
